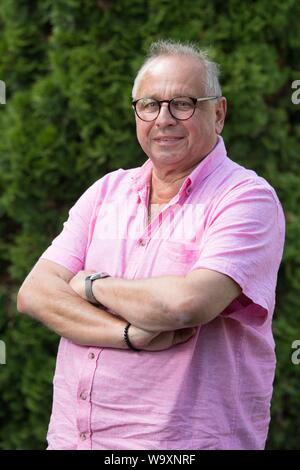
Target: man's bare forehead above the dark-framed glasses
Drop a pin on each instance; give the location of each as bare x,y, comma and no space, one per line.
166,77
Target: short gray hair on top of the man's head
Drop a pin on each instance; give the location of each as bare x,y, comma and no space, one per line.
163,48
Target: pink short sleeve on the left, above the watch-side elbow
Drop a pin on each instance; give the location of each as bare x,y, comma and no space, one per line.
69,247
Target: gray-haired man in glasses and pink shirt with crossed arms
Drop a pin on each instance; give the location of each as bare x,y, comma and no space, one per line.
162,282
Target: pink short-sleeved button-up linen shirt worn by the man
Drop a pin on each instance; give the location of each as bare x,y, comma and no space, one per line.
214,391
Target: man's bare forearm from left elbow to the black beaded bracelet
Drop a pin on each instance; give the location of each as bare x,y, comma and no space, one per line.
57,306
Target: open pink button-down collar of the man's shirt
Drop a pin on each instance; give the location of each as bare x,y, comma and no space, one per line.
142,175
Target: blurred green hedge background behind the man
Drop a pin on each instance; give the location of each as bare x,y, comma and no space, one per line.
69,66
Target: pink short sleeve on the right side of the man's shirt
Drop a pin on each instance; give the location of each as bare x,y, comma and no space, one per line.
244,239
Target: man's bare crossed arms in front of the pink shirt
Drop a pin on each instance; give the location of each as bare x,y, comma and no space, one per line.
162,310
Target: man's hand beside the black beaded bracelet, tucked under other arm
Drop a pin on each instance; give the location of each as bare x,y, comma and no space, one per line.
158,341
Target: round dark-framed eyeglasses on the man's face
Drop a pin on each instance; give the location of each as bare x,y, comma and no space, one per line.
181,107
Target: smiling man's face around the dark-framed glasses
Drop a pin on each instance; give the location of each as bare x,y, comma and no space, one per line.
168,142
